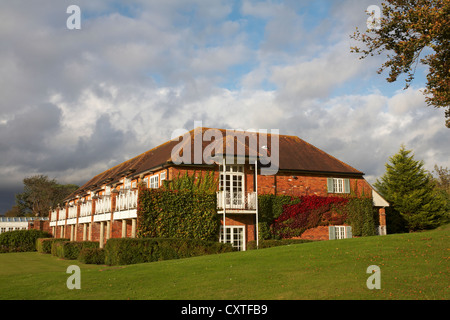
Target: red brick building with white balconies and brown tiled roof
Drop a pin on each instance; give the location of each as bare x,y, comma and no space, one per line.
246,164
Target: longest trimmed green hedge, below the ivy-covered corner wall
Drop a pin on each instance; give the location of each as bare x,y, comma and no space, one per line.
123,251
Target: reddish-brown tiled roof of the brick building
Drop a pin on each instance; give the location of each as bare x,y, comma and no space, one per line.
295,154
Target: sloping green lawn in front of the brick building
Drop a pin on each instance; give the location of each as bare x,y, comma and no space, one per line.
413,266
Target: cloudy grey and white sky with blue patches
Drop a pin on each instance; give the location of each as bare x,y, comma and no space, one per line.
76,102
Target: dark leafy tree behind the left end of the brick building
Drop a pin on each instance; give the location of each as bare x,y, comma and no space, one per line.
40,194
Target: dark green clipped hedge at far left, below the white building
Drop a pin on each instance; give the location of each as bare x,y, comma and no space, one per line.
21,240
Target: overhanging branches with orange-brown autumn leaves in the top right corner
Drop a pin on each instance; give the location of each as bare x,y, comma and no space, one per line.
407,29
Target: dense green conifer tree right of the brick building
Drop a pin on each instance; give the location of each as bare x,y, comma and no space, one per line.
411,191
